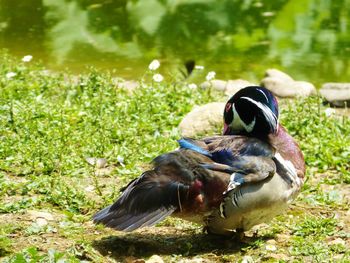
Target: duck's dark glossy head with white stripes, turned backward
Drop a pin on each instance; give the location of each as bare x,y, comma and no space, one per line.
251,111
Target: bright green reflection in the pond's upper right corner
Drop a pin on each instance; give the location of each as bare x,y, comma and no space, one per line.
314,32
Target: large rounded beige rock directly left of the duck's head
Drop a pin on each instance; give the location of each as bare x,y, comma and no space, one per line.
202,119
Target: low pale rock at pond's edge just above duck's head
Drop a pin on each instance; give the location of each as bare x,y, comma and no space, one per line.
229,87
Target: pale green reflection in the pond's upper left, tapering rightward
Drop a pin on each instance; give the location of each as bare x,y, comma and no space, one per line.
71,27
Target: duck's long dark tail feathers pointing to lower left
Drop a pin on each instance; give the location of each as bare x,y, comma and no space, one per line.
145,202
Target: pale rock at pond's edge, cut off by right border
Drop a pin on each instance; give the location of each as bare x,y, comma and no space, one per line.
337,94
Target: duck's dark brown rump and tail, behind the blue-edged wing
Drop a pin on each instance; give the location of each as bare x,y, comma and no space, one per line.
174,184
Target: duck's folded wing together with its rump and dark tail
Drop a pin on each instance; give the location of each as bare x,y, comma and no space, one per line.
186,180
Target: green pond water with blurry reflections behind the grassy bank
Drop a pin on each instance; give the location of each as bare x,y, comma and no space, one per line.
309,39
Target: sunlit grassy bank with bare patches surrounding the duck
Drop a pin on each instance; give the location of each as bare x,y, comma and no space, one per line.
50,123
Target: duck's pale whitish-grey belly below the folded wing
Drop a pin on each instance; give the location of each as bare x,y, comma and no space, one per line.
252,204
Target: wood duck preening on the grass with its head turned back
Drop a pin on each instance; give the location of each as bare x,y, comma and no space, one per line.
227,183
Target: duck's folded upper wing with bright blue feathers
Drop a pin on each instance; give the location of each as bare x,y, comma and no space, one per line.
247,159
